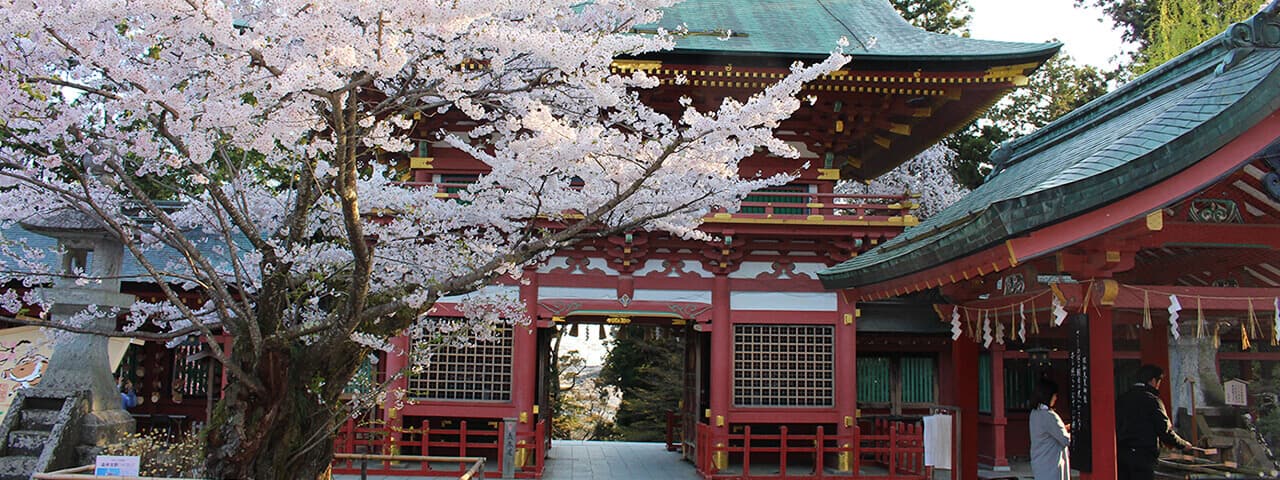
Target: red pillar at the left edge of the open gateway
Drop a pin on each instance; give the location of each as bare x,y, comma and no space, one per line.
524,355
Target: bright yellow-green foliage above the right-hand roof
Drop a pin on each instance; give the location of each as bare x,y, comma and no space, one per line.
1177,26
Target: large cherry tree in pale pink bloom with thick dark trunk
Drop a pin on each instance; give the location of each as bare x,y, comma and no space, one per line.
245,138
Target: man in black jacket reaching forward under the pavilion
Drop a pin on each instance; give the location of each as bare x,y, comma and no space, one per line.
1142,426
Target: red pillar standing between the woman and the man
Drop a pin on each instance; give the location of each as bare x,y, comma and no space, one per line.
1103,396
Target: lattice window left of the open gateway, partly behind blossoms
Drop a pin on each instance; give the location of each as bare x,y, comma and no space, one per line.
481,372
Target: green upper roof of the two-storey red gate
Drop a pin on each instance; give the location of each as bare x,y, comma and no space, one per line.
813,28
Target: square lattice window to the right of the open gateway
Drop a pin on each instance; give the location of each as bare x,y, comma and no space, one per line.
784,365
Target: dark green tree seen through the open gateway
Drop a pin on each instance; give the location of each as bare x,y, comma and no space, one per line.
647,365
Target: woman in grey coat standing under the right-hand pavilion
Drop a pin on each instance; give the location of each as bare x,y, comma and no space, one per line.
1050,437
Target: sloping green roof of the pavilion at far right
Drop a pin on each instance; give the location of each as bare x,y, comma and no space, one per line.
1118,145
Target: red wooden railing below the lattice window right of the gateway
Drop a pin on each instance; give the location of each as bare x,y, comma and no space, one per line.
895,452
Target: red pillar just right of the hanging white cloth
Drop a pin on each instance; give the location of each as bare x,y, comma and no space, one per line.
964,364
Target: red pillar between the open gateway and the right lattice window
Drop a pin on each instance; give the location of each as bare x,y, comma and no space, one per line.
723,354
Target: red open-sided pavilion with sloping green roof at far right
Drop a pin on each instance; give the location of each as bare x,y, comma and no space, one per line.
1141,228
